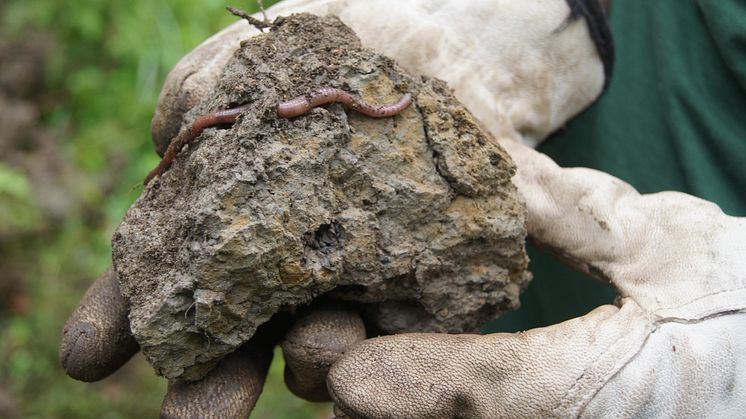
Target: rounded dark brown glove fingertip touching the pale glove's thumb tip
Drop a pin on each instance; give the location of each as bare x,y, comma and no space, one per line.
314,343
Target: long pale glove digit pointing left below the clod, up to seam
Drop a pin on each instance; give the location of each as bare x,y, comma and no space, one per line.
550,371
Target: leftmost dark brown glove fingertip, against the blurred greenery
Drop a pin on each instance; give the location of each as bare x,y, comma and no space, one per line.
96,339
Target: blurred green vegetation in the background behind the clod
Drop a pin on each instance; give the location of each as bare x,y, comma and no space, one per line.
105,65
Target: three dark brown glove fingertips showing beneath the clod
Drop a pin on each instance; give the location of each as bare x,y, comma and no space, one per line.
96,341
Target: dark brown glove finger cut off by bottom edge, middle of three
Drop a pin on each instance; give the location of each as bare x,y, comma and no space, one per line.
230,390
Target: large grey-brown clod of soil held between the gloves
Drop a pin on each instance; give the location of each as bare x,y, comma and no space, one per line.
412,218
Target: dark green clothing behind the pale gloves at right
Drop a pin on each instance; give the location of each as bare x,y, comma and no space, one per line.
674,118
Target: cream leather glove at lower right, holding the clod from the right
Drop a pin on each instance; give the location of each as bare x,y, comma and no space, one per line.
672,346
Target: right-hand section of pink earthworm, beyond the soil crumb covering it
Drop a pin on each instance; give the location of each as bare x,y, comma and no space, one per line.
302,104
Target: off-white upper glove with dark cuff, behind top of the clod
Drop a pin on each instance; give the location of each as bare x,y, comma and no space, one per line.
523,68
